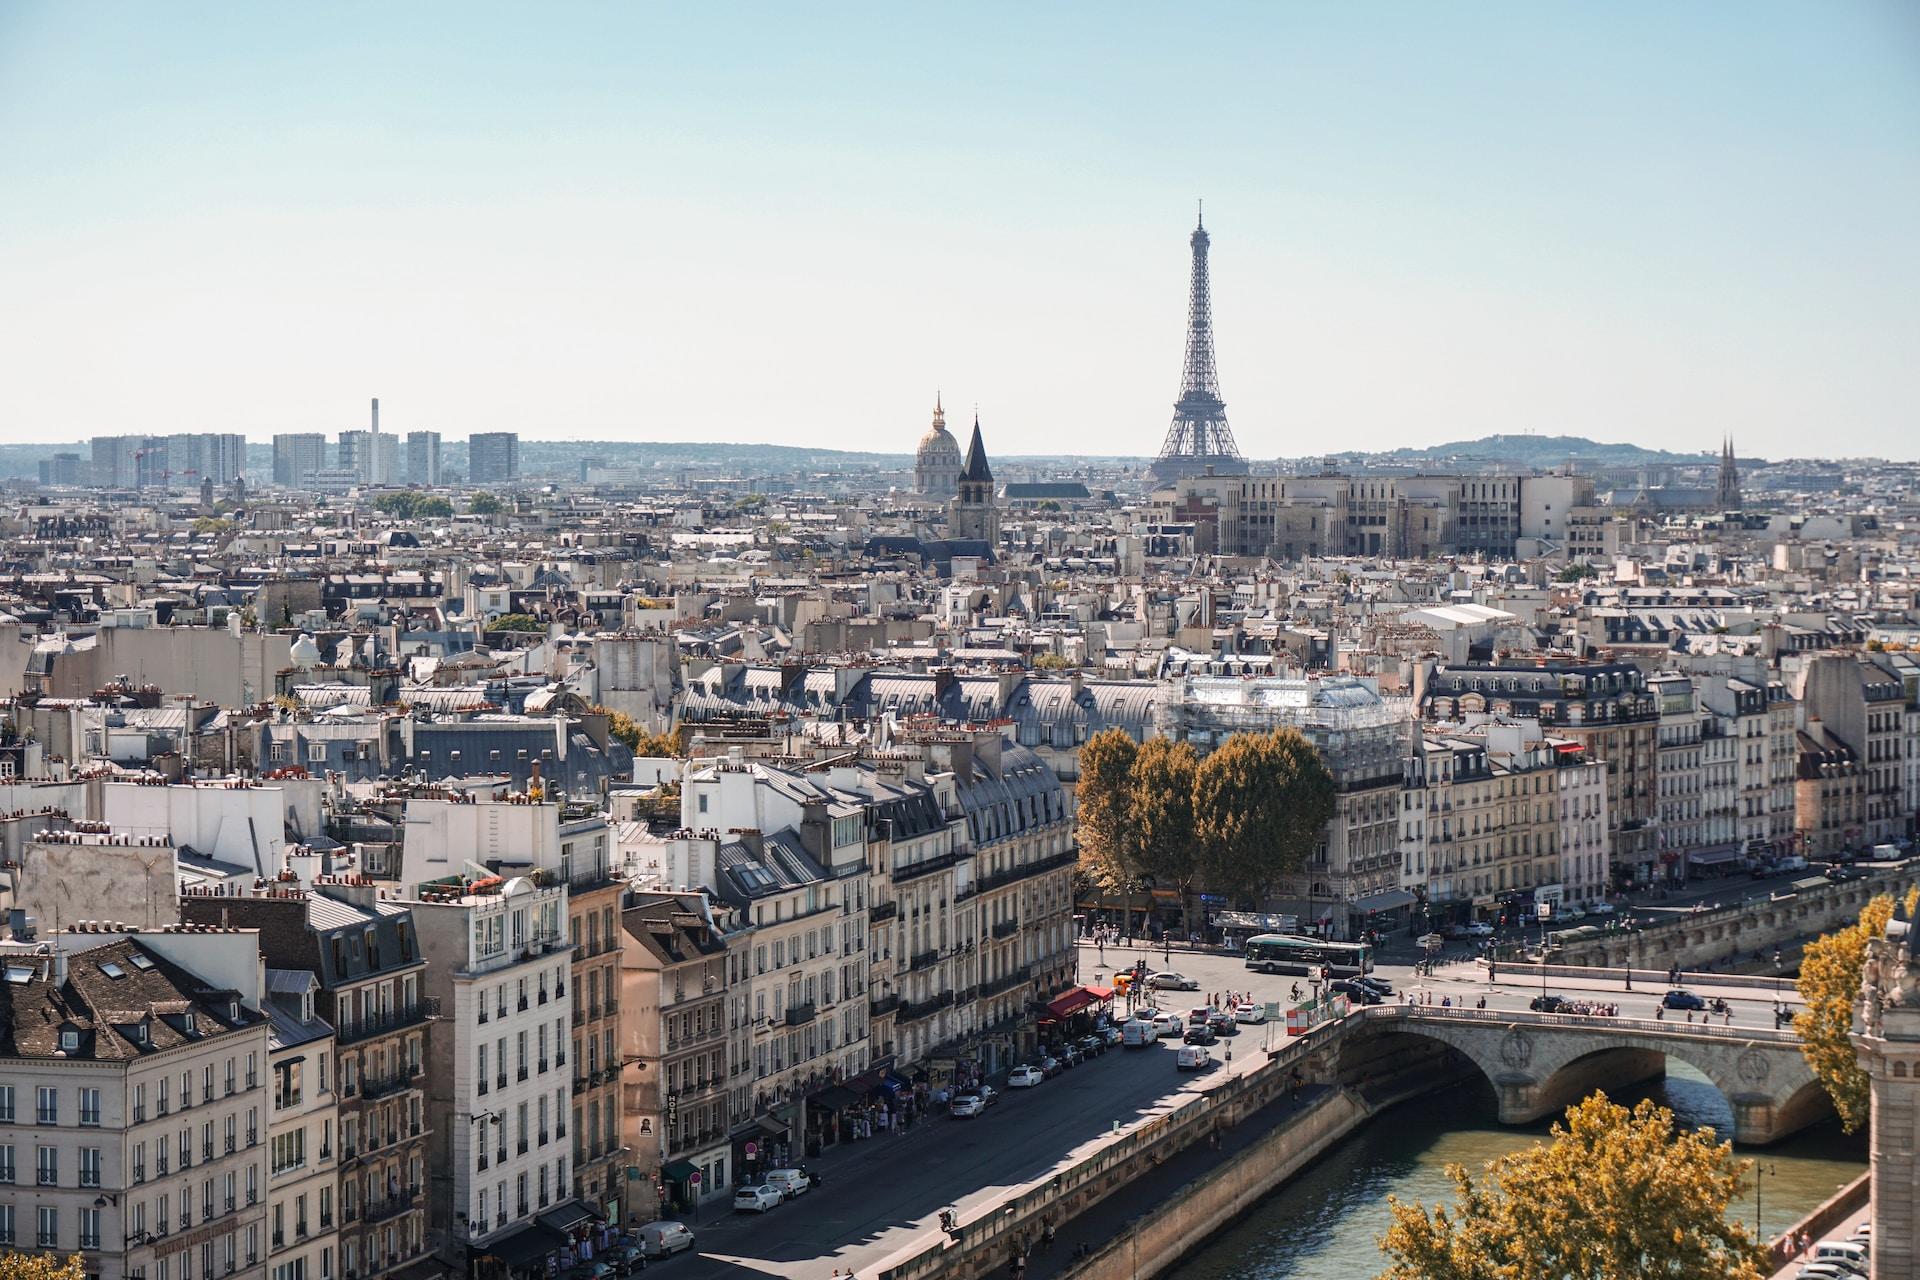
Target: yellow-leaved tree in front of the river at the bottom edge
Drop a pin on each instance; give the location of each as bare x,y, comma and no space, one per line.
1614,1195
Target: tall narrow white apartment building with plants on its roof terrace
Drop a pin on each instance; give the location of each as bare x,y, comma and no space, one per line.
500,1087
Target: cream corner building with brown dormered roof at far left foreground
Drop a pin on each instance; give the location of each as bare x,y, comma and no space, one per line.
133,1116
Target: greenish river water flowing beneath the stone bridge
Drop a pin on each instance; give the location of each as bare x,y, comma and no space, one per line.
1326,1223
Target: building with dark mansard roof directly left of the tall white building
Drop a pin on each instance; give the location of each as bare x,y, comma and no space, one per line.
368,962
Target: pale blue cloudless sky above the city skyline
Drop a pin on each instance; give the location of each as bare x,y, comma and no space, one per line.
792,224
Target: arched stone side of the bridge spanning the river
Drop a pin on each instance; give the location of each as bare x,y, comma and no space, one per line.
1545,1062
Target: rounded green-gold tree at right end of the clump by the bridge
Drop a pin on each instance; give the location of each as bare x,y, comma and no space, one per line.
1260,805
